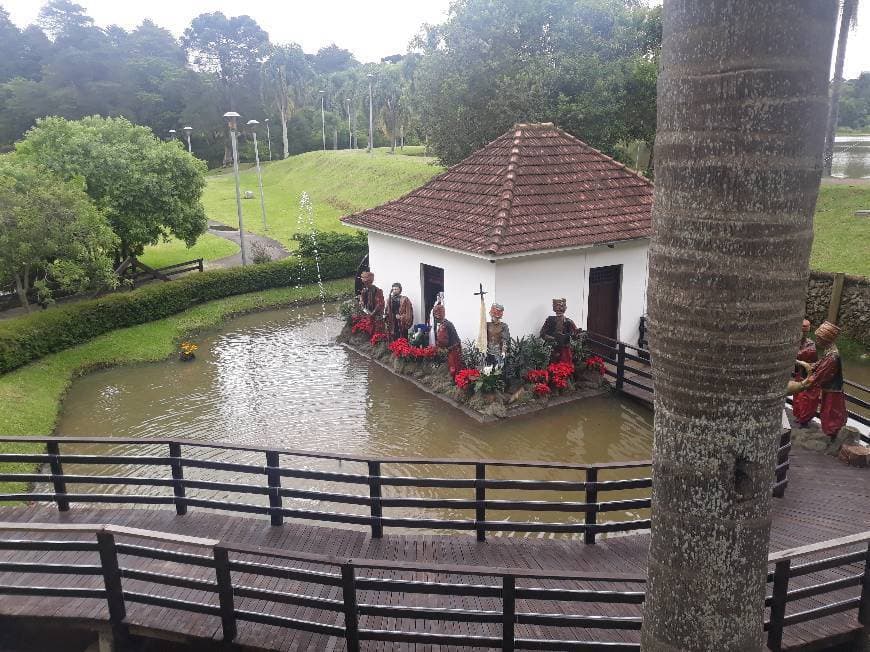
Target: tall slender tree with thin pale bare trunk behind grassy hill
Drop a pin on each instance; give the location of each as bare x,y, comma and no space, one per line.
285,74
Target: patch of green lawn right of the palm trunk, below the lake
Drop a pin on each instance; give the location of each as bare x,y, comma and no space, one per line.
841,238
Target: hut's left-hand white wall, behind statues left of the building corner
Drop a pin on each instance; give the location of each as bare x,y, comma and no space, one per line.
394,259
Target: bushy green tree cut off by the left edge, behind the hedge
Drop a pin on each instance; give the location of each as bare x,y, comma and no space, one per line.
51,233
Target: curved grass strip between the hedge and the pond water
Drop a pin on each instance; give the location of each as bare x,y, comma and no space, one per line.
30,397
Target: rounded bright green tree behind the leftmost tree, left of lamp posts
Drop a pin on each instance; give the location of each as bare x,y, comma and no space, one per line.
147,189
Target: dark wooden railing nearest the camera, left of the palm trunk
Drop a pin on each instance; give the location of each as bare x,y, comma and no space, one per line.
344,598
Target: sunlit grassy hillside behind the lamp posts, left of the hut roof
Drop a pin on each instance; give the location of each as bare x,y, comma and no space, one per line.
339,183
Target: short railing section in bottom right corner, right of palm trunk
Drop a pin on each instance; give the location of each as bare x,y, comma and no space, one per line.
853,570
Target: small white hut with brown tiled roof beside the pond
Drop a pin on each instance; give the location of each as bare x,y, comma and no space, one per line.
534,215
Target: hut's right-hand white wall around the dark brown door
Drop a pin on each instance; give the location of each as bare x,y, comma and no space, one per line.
526,285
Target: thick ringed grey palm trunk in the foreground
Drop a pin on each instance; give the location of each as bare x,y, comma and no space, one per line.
742,102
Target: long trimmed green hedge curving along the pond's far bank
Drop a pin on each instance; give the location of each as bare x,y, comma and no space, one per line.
31,337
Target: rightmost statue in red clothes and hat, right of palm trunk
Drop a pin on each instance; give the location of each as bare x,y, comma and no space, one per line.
827,374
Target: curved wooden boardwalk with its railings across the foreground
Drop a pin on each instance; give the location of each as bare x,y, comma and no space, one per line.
202,572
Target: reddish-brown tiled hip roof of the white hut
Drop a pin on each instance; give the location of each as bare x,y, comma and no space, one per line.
532,189
